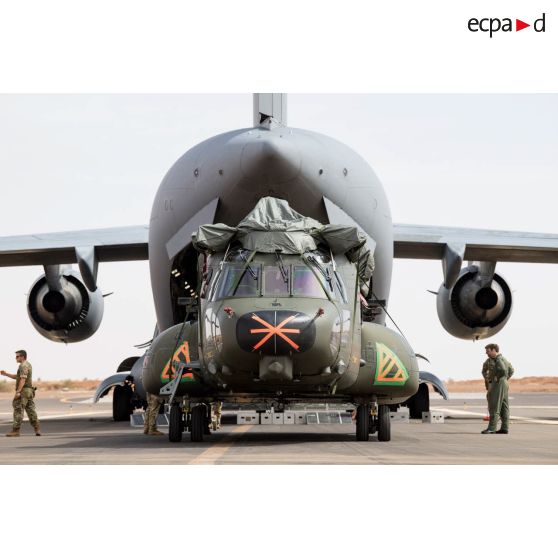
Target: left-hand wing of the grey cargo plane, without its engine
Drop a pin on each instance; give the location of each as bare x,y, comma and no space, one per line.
108,245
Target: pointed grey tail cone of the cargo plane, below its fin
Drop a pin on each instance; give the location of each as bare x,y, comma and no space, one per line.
270,158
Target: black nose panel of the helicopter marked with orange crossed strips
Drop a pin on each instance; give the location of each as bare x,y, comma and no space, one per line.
275,332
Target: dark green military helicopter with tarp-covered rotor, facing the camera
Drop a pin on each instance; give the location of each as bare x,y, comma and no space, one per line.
279,320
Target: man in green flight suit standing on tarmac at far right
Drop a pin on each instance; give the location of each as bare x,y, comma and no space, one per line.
498,370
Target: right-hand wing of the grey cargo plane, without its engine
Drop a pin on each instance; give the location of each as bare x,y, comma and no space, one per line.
443,243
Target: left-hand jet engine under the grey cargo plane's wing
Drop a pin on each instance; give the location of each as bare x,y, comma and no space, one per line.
62,309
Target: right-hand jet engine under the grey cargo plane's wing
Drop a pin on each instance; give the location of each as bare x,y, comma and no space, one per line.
476,307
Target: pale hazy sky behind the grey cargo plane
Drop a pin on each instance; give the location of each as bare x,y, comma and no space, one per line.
70,162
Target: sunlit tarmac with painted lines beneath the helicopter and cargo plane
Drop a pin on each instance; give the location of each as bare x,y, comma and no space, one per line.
77,432
